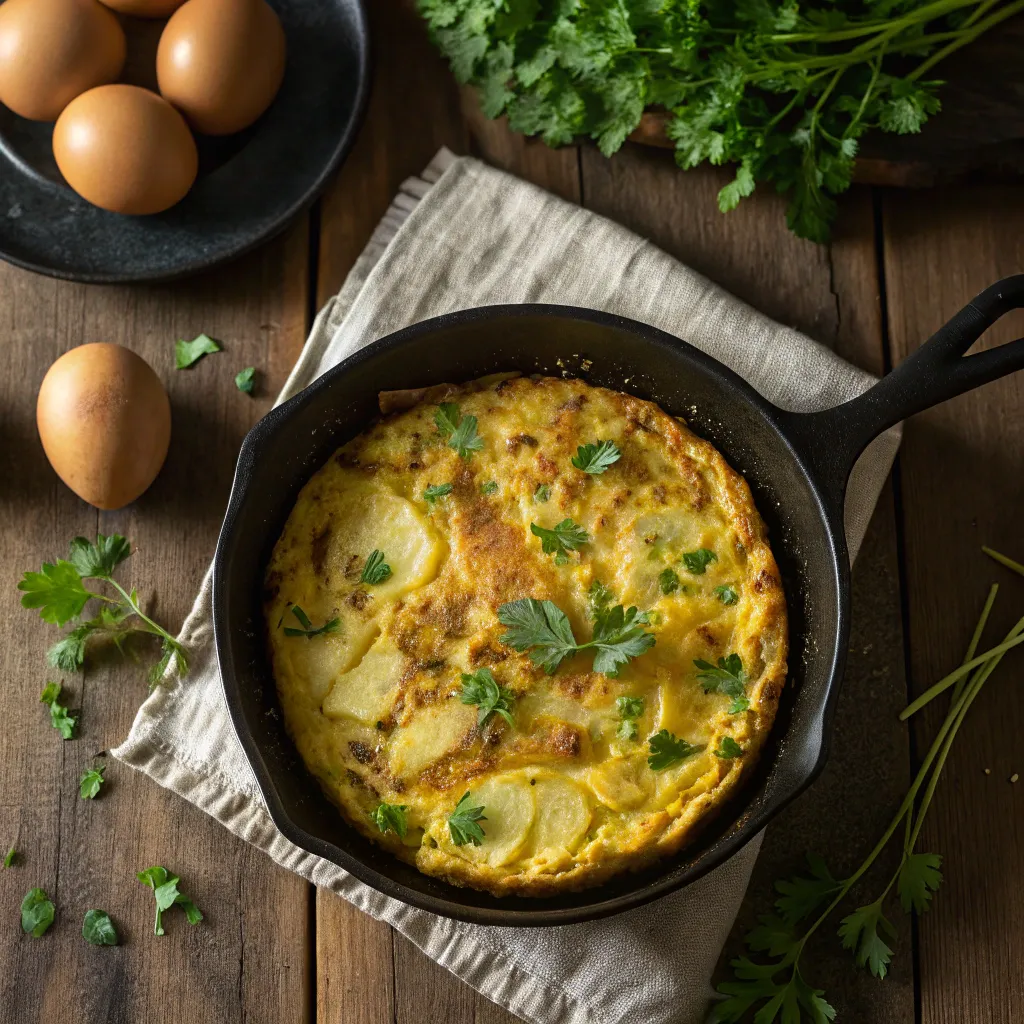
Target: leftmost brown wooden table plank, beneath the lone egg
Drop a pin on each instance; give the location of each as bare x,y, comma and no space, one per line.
249,959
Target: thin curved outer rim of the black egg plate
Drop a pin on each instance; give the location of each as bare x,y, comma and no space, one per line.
275,229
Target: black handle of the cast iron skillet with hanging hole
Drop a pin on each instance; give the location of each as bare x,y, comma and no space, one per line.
832,441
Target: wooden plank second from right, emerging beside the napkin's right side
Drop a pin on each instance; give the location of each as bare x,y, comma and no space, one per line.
832,294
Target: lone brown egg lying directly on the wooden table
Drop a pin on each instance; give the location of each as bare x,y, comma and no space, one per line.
105,421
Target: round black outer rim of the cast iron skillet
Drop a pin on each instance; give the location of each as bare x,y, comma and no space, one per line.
669,881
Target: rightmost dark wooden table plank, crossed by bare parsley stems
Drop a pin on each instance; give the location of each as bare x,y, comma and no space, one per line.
962,488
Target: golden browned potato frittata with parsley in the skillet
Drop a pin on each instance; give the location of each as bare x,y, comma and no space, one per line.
527,634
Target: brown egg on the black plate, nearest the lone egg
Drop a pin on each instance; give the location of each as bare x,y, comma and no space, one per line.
125,150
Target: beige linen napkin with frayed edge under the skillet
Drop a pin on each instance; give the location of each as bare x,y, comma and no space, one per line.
465,235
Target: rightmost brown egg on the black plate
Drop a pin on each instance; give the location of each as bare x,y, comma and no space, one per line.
222,63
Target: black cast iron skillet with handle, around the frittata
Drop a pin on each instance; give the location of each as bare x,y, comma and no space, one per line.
797,466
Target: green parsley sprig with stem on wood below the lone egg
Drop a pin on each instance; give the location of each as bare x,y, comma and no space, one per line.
59,592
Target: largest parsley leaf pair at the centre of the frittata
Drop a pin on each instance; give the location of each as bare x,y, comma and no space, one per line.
544,630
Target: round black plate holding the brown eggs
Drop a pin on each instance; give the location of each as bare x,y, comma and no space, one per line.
250,186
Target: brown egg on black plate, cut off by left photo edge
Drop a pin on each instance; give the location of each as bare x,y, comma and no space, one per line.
54,51
